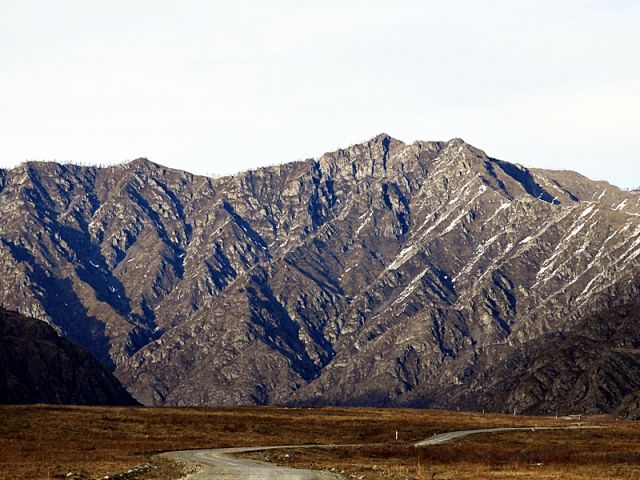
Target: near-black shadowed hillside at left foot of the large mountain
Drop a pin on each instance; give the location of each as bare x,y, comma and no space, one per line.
38,366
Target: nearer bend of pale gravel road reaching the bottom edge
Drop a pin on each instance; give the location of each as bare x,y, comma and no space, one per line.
220,464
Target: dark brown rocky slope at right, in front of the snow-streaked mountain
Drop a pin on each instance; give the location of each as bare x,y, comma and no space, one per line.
590,369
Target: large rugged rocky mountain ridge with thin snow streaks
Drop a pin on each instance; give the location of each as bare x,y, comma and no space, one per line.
381,274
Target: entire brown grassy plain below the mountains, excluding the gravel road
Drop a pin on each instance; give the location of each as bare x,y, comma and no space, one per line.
42,442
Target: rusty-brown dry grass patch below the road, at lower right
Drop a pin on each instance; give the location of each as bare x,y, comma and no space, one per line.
613,453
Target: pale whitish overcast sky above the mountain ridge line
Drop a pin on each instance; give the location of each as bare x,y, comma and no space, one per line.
218,87
